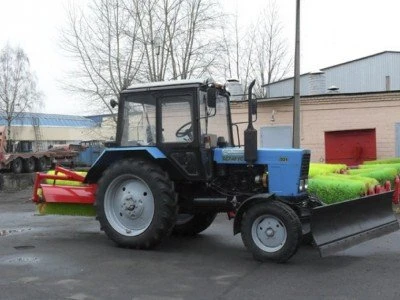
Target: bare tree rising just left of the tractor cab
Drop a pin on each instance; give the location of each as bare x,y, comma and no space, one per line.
103,39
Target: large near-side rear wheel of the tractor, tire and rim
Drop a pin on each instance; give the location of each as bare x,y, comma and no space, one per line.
136,204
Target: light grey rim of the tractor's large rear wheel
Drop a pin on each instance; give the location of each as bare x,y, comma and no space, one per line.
129,205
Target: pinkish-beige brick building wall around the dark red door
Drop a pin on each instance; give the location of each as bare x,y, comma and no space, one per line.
320,114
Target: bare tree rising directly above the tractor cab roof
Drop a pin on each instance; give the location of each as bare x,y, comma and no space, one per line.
176,36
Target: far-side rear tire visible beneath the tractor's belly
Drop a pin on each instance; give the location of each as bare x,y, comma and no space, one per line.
192,224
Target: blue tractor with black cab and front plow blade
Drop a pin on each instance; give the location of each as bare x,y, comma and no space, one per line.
175,166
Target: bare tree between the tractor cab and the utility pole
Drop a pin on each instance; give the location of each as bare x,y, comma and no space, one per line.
258,50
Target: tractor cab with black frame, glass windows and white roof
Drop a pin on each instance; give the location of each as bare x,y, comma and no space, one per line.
185,120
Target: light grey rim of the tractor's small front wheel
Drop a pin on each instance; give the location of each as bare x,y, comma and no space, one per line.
269,233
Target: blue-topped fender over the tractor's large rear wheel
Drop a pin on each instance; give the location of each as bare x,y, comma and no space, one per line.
111,155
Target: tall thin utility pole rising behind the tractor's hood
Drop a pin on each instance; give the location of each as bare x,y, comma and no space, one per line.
296,100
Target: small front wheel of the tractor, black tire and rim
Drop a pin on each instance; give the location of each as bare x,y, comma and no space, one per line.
271,231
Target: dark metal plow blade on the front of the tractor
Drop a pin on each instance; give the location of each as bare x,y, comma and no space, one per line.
340,226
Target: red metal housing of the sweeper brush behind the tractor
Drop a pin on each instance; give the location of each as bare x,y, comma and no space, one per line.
75,192
